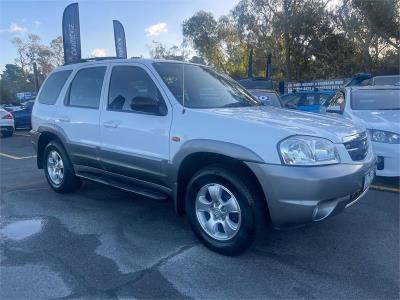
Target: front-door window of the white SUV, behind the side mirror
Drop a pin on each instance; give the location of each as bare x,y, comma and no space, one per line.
132,90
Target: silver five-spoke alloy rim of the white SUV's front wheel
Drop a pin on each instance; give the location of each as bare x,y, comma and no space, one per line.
218,211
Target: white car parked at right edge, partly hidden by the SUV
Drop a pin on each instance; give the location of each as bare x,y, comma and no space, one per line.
377,108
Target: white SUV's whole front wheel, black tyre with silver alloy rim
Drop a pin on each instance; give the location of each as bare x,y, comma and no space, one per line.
224,210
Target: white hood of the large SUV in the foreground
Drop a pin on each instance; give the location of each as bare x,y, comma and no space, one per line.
294,122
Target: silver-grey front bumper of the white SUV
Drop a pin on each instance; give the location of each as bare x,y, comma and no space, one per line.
299,195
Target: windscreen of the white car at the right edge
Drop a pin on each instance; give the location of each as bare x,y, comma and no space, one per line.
375,100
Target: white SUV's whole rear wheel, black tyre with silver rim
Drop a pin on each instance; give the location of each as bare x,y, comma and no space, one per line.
58,169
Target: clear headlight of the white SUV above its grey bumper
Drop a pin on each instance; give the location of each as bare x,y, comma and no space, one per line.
308,151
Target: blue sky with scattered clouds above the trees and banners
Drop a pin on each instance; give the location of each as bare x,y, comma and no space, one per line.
144,21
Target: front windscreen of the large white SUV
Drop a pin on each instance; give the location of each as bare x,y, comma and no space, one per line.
202,87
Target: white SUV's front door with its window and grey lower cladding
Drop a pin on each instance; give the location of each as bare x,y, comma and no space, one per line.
135,125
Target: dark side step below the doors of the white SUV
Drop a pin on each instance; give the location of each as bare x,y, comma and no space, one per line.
123,186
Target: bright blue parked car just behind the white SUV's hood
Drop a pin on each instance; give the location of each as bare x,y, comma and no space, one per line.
307,100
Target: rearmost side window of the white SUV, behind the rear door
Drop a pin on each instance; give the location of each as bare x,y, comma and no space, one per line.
52,87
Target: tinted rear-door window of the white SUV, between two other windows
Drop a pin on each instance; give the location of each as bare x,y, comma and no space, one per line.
85,89
